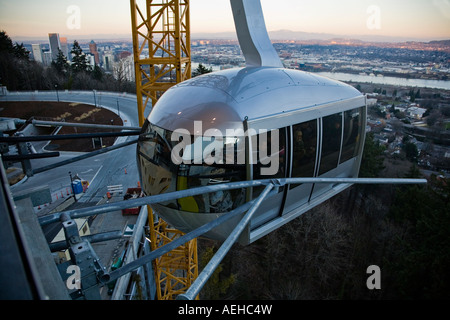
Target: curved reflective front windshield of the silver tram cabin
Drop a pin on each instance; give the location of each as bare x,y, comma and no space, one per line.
171,162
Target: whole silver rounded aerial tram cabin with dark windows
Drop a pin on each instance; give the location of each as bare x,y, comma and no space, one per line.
248,124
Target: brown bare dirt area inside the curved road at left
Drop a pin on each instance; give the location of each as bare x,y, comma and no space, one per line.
69,112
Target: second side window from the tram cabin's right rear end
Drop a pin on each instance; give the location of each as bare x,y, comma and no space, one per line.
331,142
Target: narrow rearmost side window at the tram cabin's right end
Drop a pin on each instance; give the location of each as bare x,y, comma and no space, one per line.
352,133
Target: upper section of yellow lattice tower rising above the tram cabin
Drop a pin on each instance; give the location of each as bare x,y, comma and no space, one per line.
161,46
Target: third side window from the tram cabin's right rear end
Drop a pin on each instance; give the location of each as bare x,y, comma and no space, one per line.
304,149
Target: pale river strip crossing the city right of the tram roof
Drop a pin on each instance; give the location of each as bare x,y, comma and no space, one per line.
419,83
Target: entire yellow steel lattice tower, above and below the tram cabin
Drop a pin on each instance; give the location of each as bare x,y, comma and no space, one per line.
162,57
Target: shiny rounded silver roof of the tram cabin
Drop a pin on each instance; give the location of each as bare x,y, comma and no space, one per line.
224,99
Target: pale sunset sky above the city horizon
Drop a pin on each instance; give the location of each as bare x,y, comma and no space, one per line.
412,19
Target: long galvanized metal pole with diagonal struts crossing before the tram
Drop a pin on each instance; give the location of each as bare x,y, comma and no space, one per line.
248,208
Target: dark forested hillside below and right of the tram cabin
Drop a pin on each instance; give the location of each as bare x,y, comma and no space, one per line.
324,254
